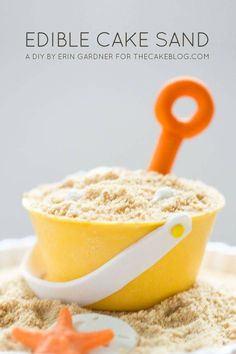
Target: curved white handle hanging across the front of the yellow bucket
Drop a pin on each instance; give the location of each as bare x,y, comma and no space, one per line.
119,271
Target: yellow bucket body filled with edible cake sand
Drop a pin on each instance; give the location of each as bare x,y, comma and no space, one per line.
69,249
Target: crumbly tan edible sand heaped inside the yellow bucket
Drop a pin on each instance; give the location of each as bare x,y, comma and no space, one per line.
120,195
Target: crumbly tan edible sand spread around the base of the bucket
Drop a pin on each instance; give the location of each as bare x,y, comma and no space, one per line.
203,316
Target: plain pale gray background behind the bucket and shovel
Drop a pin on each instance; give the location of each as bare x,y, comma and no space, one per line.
59,117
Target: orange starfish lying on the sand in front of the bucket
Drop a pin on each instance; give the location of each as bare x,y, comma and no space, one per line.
63,338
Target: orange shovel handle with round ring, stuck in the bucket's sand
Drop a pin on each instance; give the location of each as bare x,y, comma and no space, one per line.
173,130
